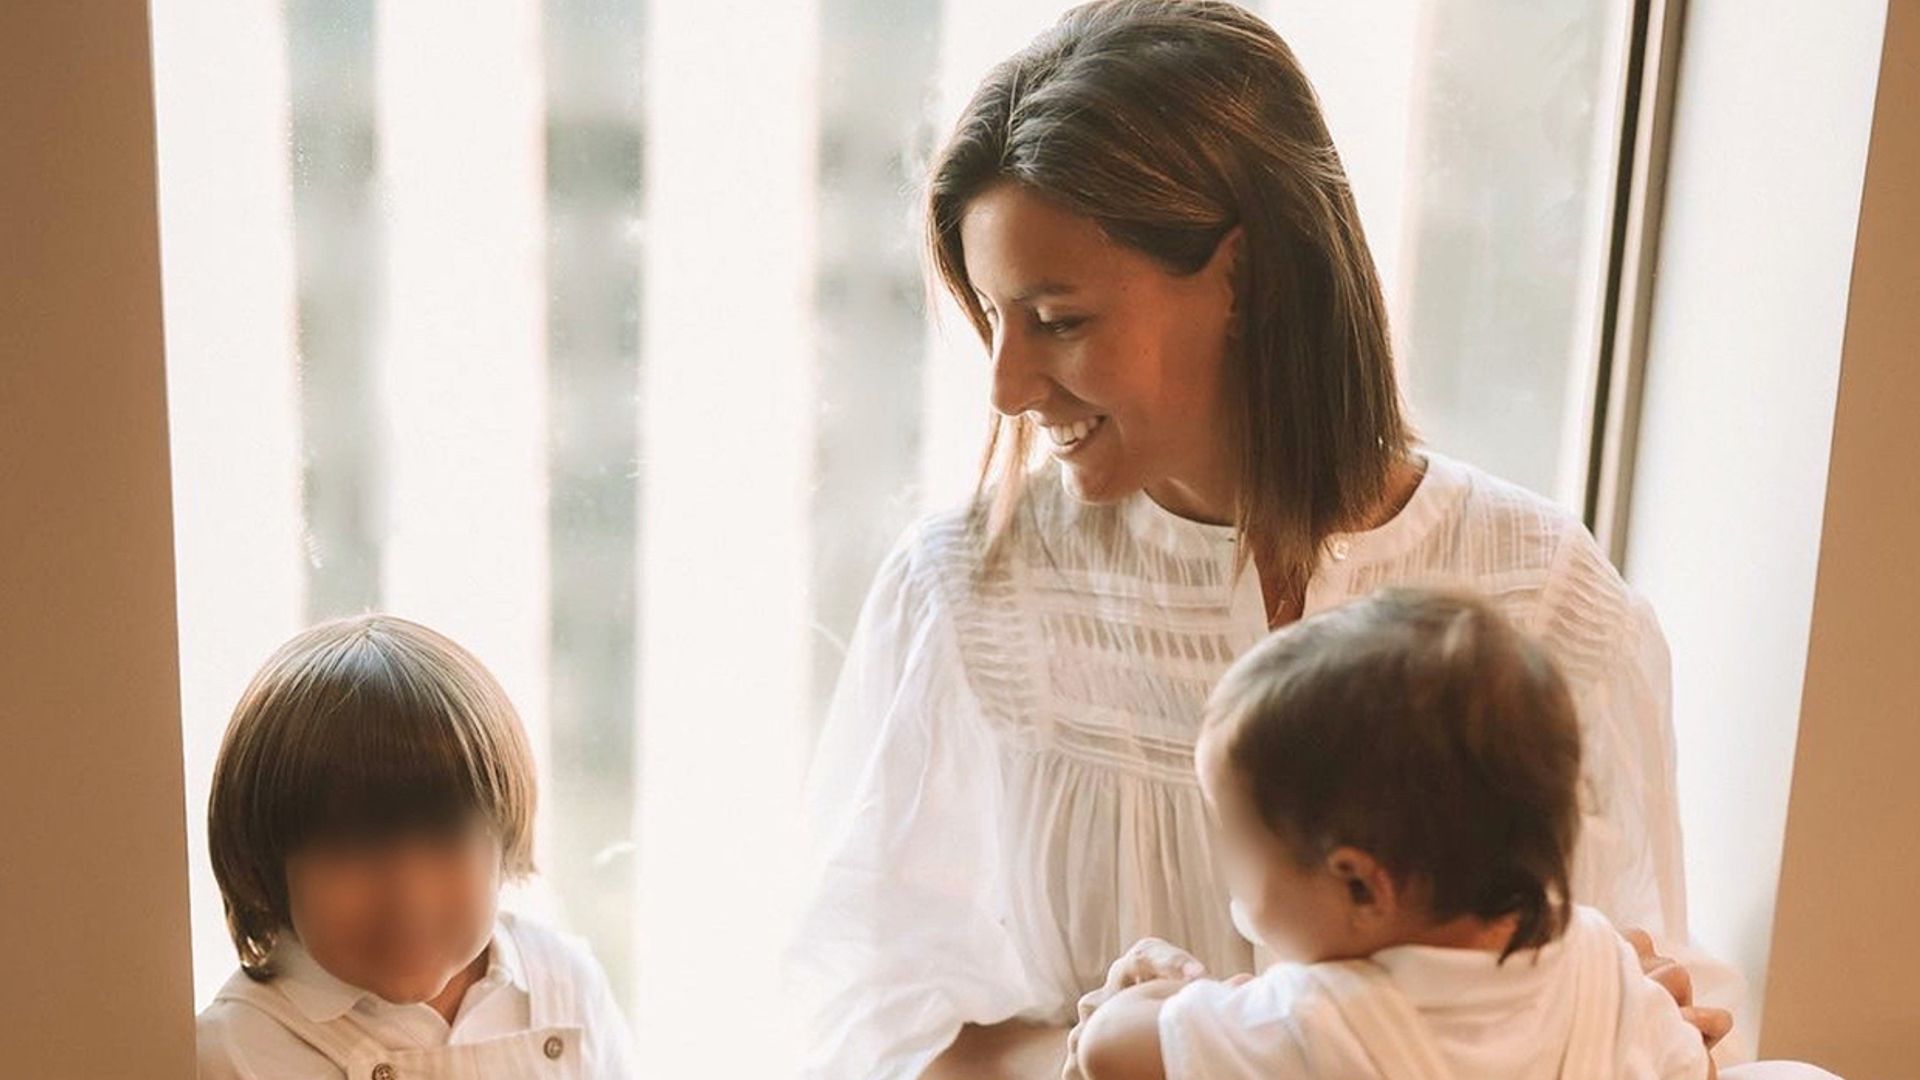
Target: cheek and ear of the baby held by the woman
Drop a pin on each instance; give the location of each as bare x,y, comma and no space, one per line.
1339,908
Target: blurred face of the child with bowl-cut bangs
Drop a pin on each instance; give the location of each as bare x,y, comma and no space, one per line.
398,918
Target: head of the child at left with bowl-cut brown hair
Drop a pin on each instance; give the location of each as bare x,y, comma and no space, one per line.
372,795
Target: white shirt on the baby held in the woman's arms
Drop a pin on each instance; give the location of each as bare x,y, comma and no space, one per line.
1581,1010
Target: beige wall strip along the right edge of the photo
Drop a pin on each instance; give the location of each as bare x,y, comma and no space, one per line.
1846,970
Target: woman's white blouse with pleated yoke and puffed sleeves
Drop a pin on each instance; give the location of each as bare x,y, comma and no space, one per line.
1003,797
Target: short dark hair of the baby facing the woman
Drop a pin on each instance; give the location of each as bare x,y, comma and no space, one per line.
1428,731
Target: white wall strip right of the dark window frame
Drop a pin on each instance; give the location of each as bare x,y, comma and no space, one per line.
1764,193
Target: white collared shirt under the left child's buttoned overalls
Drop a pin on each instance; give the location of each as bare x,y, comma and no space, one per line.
239,1043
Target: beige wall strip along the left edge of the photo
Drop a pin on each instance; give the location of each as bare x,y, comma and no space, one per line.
93,877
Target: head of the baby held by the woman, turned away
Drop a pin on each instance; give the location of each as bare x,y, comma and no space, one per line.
1389,770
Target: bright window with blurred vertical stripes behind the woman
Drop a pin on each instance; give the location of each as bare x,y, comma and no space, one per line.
592,333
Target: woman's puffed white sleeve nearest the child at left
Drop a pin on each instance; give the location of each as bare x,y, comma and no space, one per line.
901,935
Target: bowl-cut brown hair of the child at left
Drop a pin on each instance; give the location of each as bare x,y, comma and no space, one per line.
360,729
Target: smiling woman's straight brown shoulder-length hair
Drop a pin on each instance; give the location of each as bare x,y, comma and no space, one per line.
1170,124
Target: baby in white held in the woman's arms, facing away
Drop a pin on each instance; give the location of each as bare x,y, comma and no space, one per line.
1395,797
